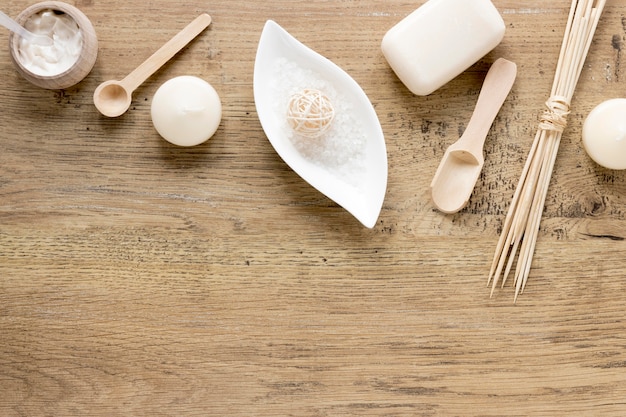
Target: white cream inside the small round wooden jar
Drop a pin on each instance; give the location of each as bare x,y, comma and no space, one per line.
62,54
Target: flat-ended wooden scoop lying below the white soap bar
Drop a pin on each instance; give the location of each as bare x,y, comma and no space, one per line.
463,161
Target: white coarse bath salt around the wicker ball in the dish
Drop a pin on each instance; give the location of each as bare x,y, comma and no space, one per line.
341,149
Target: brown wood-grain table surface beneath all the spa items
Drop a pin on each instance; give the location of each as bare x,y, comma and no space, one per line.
141,278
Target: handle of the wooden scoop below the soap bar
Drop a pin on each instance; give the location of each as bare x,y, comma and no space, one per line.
495,89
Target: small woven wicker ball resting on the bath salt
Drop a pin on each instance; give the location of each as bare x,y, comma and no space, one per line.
310,113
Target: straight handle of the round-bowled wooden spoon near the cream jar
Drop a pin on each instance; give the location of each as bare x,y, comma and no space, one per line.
166,52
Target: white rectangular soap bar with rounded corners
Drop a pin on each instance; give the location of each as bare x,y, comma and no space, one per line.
440,40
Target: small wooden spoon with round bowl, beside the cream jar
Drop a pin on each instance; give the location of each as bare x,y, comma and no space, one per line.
112,98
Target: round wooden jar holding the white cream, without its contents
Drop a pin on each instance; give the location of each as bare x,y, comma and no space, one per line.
81,67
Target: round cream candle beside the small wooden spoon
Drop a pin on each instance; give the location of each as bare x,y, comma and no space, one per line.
186,110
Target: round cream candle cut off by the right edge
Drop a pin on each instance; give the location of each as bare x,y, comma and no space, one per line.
604,134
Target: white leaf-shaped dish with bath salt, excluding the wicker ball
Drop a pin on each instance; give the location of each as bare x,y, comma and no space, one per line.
348,164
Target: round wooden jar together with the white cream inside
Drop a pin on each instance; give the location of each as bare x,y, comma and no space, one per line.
71,56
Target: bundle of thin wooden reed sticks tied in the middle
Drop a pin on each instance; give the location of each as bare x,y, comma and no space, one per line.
521,225
